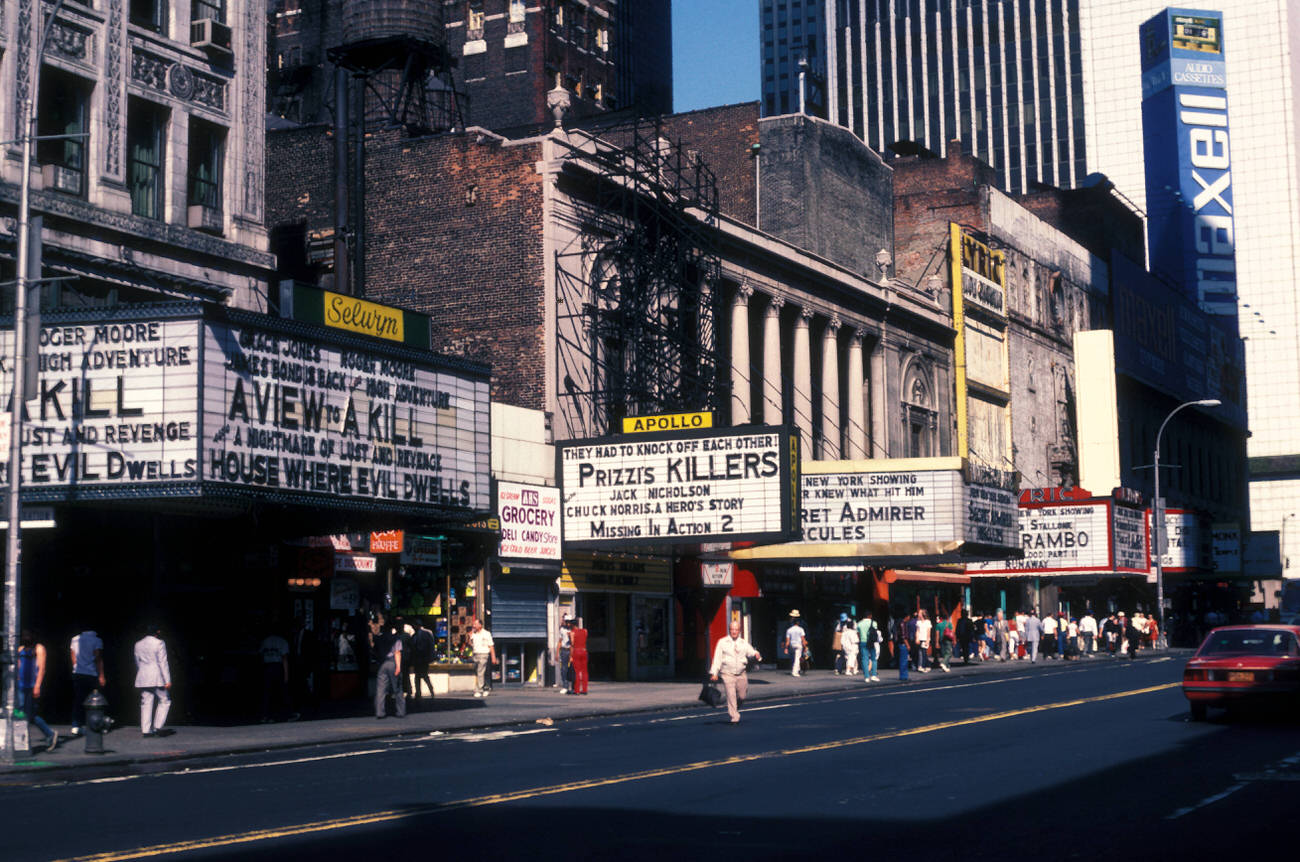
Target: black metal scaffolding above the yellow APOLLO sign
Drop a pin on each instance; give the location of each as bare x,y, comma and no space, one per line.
638,291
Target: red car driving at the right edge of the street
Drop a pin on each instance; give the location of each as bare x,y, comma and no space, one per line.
1243,662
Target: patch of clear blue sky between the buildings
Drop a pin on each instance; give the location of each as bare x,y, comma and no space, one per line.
714,53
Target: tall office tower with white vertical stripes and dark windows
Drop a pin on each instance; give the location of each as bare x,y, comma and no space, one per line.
1003,79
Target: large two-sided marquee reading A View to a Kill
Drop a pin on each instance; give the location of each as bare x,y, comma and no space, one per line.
192,401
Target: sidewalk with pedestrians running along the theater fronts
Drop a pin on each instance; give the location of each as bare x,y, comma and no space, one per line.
127,750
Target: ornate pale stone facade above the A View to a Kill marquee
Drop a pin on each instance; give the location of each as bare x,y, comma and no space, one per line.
158,189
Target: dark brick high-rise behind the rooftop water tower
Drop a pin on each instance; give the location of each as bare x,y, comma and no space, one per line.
504,58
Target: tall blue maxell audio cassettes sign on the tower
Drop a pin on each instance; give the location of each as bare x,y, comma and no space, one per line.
1188,154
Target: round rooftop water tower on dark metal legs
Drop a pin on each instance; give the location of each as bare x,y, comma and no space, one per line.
398,49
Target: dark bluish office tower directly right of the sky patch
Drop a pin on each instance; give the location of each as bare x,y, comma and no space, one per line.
794,32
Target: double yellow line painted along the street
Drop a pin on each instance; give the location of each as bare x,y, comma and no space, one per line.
499,799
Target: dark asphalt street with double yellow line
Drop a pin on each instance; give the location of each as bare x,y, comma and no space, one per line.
1056,761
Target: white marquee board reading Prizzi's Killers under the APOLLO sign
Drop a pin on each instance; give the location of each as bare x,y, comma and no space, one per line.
670,488
